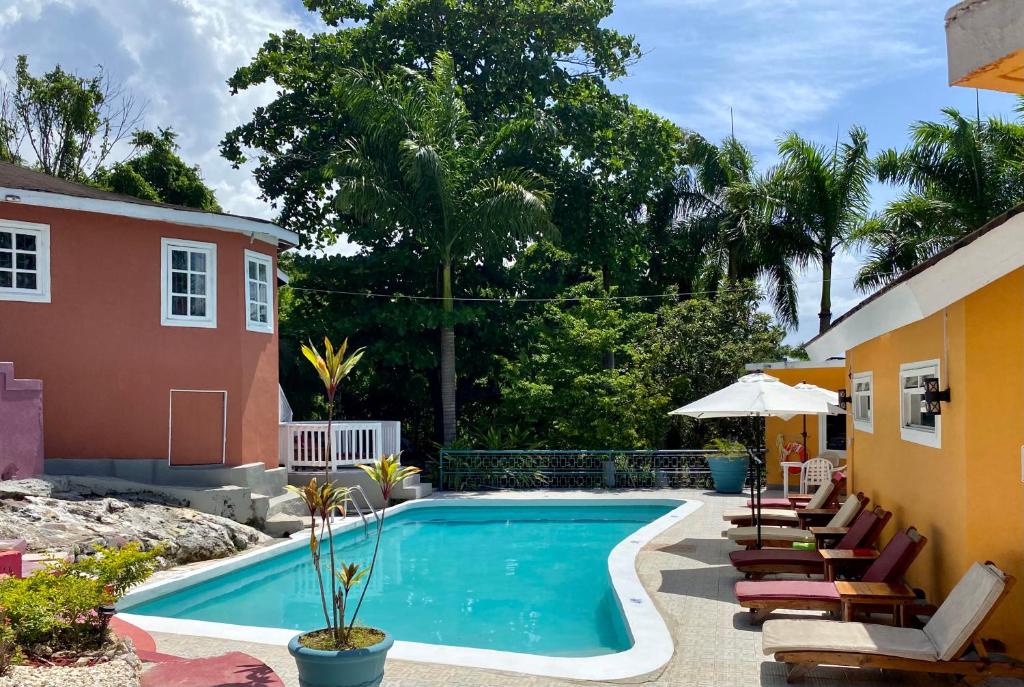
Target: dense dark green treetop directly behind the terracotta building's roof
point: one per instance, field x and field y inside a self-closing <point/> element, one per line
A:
<point x="158" y="174"/>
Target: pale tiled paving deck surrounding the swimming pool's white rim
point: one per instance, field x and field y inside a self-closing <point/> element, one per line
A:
<point x="686" y="570"/>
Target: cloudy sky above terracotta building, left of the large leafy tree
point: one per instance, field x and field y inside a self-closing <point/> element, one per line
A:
<point x="175" y="55"/>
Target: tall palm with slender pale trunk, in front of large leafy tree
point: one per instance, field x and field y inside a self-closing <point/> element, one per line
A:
<point x="420" y="168"/>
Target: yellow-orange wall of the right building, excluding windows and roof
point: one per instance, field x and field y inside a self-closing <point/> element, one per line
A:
<point x="966" y="495"/>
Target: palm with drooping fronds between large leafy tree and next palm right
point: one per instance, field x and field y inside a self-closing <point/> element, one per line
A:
<point x="727" y="214"/>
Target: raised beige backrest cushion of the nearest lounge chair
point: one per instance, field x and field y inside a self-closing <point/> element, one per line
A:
<point x="968" y="605"/>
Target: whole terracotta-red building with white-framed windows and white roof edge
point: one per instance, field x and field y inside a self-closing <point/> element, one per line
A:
<point x="152" y="327"/>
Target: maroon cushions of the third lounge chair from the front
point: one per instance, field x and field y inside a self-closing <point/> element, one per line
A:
<point x="863" y="536"/>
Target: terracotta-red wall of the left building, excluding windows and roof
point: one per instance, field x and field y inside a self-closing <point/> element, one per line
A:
<point x="109" y="365"/>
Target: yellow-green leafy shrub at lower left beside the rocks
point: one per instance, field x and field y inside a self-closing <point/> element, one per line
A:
<point x="57" y="607"/>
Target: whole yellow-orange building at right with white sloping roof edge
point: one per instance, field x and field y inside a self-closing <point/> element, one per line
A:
<point x="935" y="369"/>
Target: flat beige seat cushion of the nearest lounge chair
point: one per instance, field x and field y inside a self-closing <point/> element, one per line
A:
<point x="880" y="640"/>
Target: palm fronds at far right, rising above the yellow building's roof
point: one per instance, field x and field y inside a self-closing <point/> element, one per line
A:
<point x="960" y="174"/>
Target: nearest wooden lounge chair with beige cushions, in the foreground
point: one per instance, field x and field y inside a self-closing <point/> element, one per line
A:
<point x="950" y="645"/>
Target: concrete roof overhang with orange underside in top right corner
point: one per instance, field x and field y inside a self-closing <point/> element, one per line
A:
<point x="986" y="46"/>
